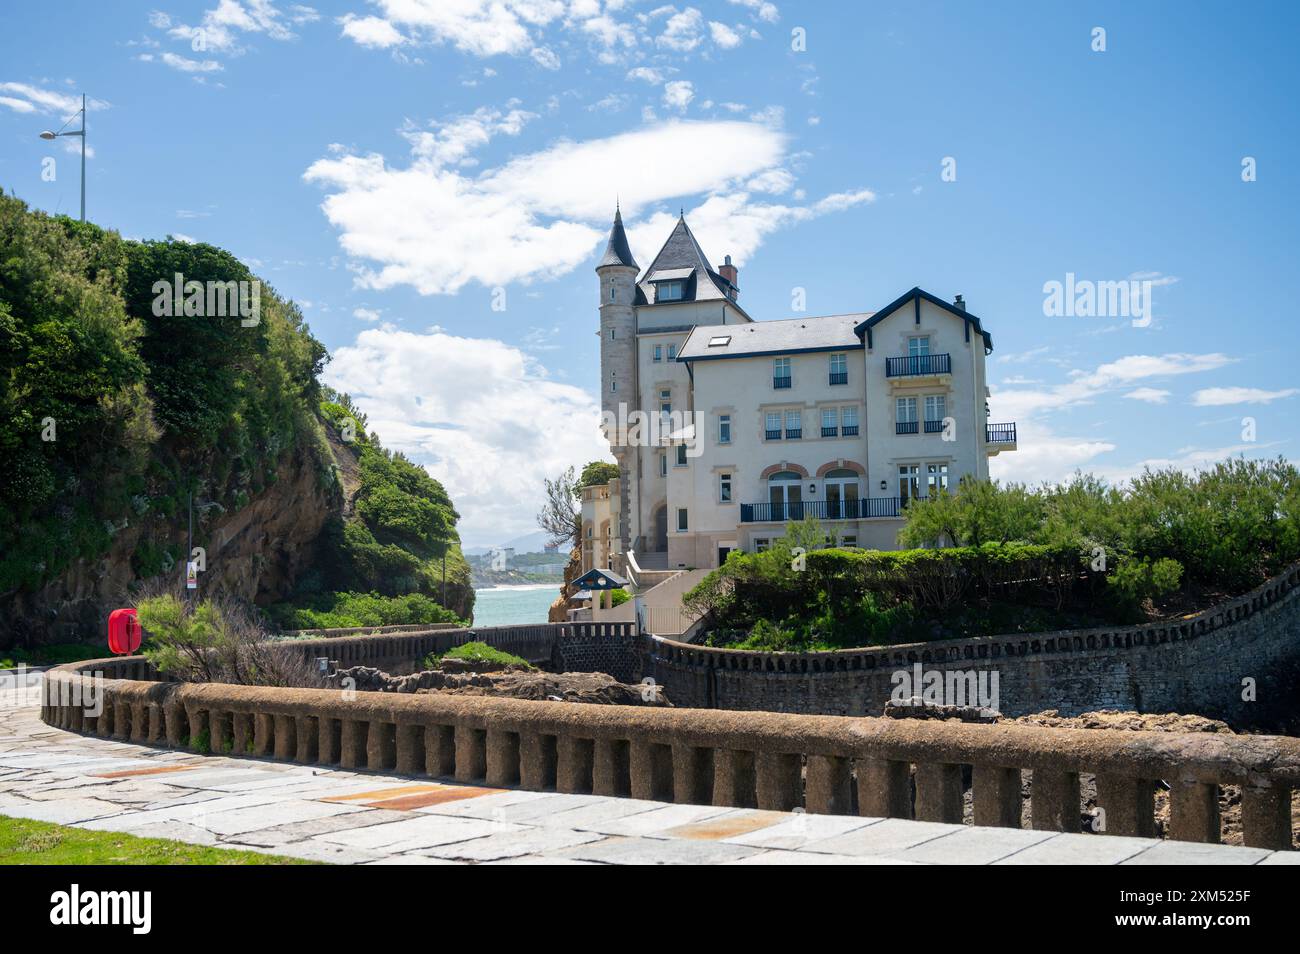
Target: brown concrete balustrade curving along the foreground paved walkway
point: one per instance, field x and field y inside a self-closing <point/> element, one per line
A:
<point x="826" y="765"/>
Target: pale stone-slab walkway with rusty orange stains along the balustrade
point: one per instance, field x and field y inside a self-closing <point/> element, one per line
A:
<point x="361" y="818"/>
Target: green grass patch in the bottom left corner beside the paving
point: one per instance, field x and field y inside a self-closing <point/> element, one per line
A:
<point x="41" y="843"/>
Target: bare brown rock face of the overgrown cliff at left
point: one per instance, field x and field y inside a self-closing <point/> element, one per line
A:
<point x="255" y="553"/>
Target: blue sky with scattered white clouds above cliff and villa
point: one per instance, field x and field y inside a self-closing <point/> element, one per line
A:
<point x="398" y="168"/>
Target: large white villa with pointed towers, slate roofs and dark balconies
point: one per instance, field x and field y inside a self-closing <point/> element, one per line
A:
<point x="846" y="418"/>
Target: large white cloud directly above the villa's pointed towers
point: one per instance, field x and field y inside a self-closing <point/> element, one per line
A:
<point x="436" y="227"/>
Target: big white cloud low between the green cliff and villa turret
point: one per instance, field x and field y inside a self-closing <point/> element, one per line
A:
<point x="489" y="424"/>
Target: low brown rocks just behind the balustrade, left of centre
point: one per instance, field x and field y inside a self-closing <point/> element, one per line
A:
<point x="515" y="683"/>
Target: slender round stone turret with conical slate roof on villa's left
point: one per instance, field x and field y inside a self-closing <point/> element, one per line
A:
<point x="618" y="272"/>
